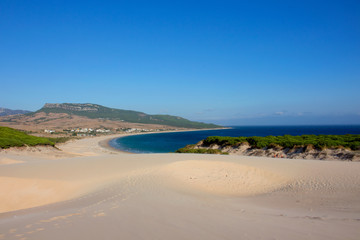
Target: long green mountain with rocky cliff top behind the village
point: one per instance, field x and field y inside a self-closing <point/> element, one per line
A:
<point x="95" y="111"/>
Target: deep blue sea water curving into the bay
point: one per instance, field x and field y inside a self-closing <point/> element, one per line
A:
<point x="170" y="142"/>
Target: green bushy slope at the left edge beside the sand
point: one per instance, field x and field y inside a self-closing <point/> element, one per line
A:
<point x="10" y="137"/>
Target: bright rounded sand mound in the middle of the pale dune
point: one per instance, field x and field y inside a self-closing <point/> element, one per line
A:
<point x="223" y="178"/>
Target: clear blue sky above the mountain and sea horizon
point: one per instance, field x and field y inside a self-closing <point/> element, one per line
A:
<point x="227" y="62"/>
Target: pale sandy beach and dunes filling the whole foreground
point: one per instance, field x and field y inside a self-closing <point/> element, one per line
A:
<point x="91" y="191"/>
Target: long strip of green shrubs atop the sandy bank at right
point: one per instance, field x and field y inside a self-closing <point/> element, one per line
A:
<point x="287" y="141"/>
